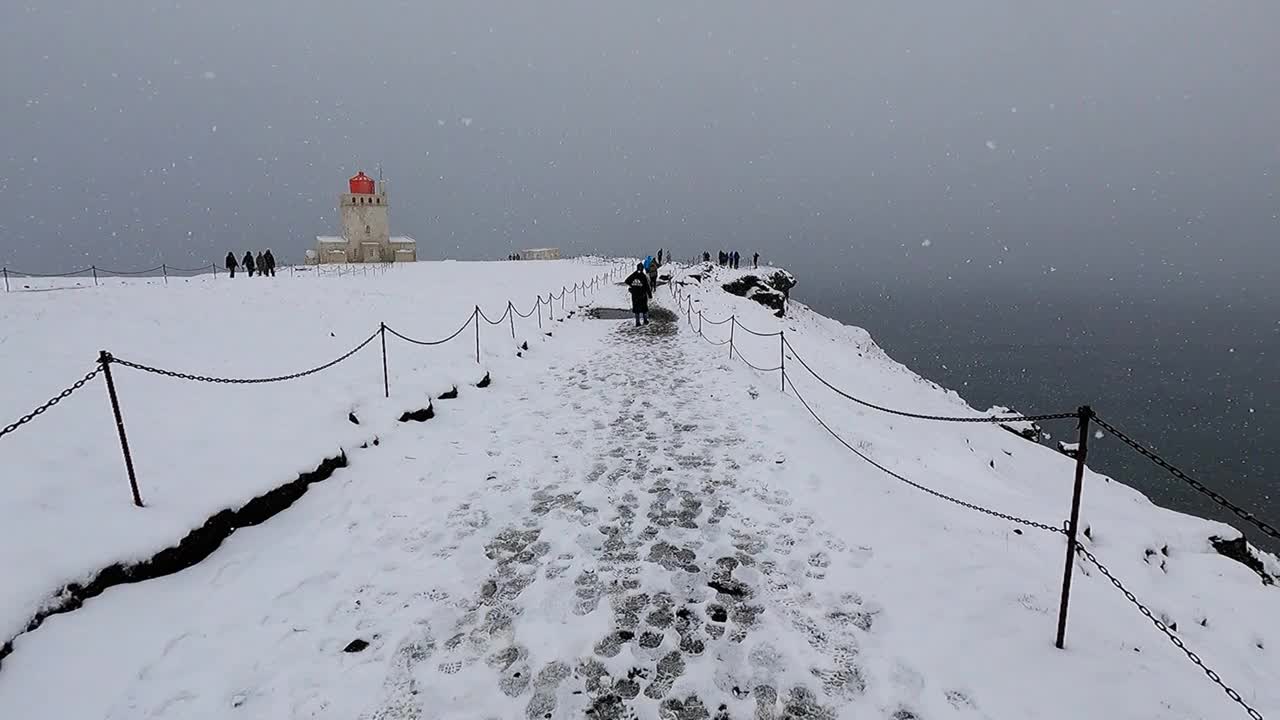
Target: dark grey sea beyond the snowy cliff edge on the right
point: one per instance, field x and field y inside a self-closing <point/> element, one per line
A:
<point x="1192" y="375"/>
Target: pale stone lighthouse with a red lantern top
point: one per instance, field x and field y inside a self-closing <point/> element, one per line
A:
<point x="363" y="215"/>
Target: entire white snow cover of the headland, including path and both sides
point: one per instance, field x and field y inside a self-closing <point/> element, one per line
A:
<point x="627" y="522"/>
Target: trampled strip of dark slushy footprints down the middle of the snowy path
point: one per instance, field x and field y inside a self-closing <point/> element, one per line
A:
<point x="650" y="563"/>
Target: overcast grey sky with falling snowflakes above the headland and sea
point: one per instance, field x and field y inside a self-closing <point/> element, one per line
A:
<point x="961" y="143"/>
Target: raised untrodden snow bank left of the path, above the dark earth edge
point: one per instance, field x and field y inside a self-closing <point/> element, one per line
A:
<point x="66" y="508"/>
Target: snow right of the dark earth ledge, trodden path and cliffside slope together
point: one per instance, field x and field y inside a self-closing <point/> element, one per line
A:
<point x="630" y="525"/>
